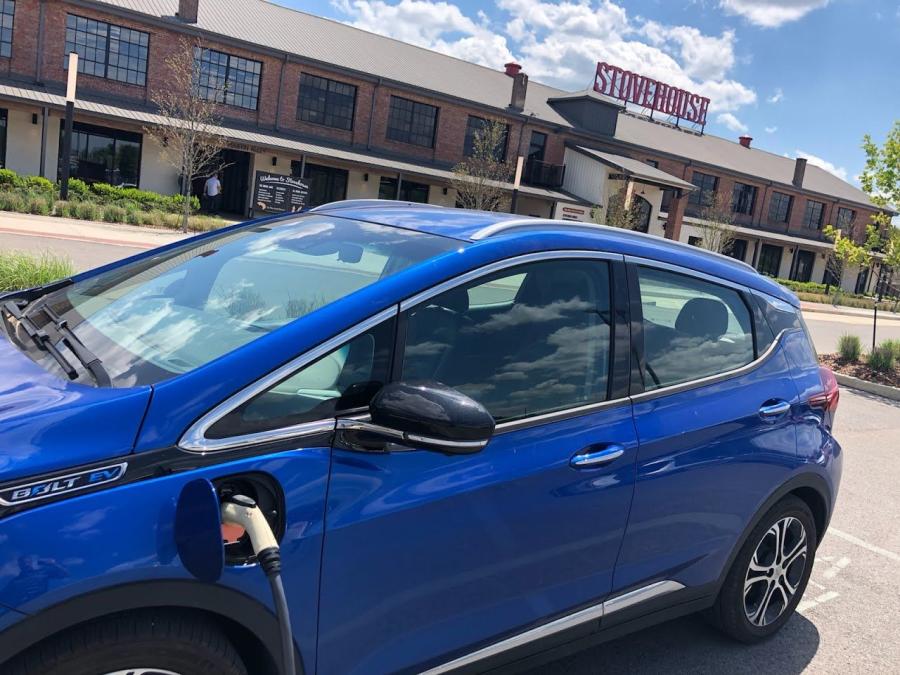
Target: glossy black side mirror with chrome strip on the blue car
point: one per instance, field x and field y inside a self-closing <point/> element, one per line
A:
<point x="426" y="415"/>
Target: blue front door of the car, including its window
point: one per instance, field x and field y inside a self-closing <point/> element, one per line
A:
<point x="430" y="556"/>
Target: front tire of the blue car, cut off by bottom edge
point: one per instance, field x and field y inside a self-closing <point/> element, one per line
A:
<point x="161" y="642"/>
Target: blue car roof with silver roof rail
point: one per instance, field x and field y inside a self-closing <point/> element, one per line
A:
<point x="473" y="226"/>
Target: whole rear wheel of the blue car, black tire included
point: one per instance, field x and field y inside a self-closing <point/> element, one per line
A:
<point x="764" y="586"/>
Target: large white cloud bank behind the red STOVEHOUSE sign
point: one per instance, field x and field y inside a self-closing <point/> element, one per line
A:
<point x="560" y="42"/>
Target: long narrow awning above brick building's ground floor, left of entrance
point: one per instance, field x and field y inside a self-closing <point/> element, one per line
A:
<point x="264" y="141"/>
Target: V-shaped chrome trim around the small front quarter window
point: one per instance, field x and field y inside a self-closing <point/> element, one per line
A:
<point x="194" y="439"/>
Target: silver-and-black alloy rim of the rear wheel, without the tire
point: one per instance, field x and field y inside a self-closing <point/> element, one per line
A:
<point x="775" y="572"/>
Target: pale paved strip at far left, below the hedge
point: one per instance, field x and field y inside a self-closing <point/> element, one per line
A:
<point x="110" y="234"/>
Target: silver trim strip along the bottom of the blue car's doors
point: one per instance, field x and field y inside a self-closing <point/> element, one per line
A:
<point x="592" y="613"/>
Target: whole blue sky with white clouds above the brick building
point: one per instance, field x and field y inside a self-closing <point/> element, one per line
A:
<point x="806" y="77"/>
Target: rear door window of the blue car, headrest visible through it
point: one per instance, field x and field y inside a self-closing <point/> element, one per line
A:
<point x="692" y="328"/>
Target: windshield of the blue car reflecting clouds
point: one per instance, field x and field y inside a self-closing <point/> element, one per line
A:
<point x="170" y="313"/>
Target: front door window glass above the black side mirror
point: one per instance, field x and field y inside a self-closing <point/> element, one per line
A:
<point x="545" y="349"/>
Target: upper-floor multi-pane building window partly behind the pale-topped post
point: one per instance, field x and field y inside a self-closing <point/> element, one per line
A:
<point x="107" y="50"/>
